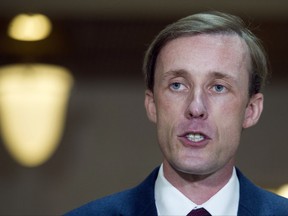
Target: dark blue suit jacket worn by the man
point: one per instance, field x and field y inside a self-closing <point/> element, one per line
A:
<point x="139" y="201"/>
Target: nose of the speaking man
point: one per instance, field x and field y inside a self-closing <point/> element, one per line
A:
<point x="196" y="106"/>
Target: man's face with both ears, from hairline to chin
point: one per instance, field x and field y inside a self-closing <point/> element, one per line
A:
<point x="200" y="101"/>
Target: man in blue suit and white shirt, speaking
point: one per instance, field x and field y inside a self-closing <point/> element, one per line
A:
<point x="204" y="74"/>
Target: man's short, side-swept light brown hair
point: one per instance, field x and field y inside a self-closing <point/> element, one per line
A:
<point x="210" y="23"/>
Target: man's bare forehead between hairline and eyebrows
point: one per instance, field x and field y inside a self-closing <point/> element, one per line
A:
<point x="205" y="52"/>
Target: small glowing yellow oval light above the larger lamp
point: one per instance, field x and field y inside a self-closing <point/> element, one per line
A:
<point x="29" y="27"/>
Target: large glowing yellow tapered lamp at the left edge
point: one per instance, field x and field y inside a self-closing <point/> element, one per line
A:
<point x="33" y="101"/>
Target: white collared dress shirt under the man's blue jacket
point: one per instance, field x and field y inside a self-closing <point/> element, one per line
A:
<point x="170" y="201"/>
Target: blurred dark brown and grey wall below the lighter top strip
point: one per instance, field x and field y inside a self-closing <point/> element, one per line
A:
<point x="109" y="144"/>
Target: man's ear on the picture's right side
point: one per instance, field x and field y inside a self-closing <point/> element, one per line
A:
<point x="253" y="110"/>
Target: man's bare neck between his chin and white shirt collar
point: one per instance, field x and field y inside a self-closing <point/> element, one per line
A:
<point x="198" y="188"/>
